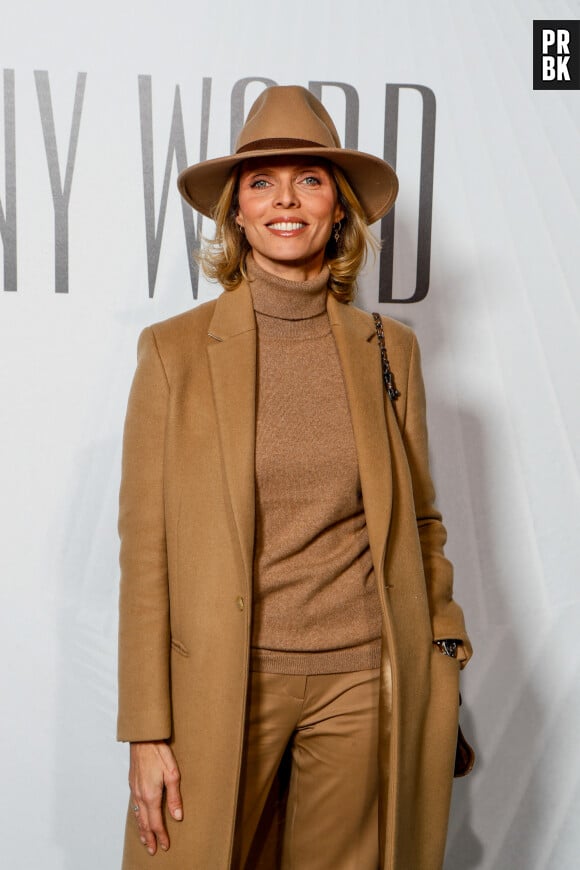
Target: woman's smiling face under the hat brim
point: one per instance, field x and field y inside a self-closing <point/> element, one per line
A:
<point x="287" y="207"/>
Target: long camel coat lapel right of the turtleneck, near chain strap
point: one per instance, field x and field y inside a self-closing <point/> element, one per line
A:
<point x="361" y="365"/>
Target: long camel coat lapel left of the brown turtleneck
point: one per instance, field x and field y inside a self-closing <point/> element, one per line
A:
<point x="232" y="360"/>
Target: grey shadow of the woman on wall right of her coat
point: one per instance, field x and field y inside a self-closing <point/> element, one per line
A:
<point x="502" y="708"/>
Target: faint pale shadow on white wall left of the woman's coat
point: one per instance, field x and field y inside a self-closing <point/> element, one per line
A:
<point x="90" y="768"/>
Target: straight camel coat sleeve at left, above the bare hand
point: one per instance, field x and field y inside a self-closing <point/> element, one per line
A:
<point x="144" y="637"/>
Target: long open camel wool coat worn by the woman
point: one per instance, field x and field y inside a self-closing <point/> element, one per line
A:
<point x="186" y="524"/>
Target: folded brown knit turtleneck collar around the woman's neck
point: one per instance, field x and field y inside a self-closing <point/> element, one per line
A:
<point x="284" y="299"/>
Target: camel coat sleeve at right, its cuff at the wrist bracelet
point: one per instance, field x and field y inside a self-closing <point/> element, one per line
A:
<point x="446" y="615"/>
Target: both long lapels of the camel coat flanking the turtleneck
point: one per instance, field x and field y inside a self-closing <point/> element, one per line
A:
<point x="232" y="357"/>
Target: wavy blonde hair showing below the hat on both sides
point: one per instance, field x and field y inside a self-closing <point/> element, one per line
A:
<point x="223" y="258"/>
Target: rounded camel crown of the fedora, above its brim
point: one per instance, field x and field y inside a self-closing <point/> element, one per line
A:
<point x="287" y="113"/>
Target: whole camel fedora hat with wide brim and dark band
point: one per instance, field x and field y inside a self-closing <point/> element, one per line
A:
<point x="290" y="121"/>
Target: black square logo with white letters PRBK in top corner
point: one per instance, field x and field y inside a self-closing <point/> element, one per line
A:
<point x="557" y="55"/>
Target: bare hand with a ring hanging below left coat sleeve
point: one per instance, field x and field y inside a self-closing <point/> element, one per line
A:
<point x="153" y="767"/>
